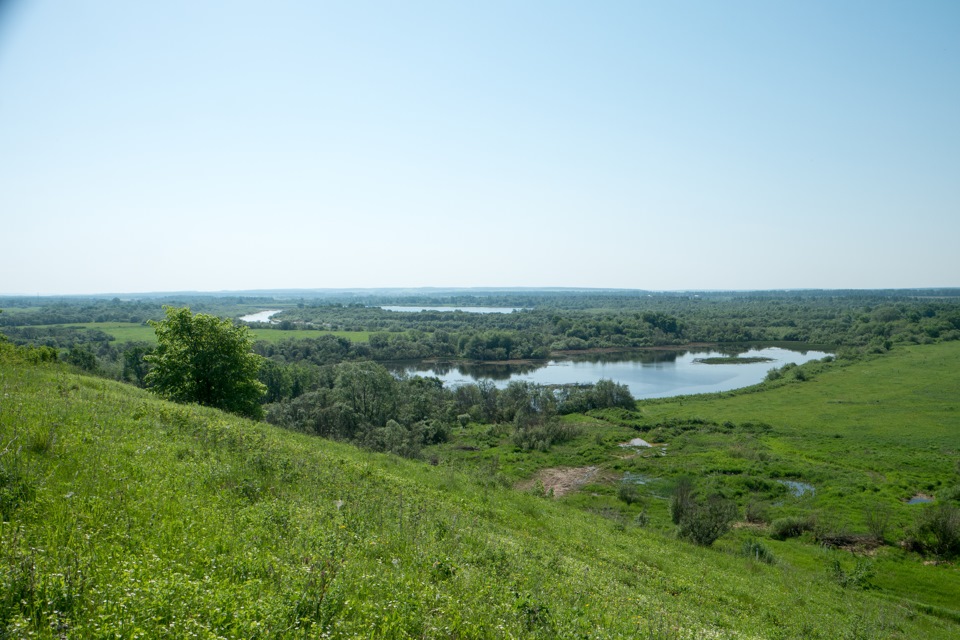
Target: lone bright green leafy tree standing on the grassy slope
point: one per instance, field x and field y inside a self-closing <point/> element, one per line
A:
<point x="208" y="360"/>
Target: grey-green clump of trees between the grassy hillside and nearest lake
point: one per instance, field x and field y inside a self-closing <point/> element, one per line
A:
<point x="363" y="403"/>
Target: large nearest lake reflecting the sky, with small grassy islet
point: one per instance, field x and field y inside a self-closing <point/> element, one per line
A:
<point x="648" y="374"/>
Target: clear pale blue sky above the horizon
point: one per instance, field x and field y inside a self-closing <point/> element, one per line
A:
<point x="212" y="146"/>
